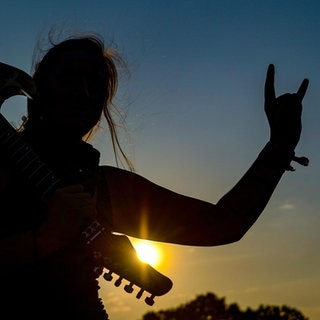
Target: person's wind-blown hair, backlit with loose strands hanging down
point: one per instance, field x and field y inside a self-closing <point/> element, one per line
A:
<point x="112" y="60"/>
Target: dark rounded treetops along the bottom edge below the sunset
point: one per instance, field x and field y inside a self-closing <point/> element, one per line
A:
<point x="210" y="307"/>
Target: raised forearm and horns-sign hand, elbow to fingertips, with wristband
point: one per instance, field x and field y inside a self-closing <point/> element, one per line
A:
<point x="251" y="194"/>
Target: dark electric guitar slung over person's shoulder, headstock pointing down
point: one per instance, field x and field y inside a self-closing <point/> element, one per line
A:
<point x="117" y="254"/>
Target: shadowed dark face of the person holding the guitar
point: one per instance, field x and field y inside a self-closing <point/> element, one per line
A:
<point x="74" y="91"/>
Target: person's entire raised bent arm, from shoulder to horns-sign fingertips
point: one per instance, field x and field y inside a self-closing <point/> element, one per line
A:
<point x="143" y="209"/>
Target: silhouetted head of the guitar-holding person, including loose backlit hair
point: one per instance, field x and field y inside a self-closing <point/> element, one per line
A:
<point x="76" y="80"/>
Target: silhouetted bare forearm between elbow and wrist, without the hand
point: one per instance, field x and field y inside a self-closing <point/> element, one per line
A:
<point x="249" y="197"/>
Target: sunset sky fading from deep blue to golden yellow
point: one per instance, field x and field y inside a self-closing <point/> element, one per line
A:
<point x="193" y="105"/>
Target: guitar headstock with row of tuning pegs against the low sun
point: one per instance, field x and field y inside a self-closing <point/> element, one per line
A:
<point x="116" y="254"/>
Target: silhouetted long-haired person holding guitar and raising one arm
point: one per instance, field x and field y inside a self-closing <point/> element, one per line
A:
<point x="46" y="272"/>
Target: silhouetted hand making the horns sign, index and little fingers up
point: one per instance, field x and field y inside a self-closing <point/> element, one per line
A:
<point x="284" y="112"/>
